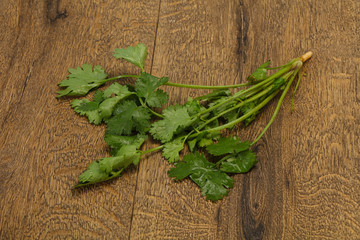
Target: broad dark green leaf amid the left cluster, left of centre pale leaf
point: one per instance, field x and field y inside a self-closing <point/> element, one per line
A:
<point x="128" y="117"/>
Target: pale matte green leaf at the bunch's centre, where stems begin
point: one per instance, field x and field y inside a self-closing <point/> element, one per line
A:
<point x="175" y="118"/>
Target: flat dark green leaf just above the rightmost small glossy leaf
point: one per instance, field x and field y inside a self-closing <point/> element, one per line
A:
<point x="228" y="145"/>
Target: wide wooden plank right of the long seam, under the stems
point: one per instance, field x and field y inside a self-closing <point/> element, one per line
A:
<point x="306" y="185"/>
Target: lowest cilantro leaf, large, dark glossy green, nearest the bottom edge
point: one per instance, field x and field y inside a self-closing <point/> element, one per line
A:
<point x="212" y="182"/>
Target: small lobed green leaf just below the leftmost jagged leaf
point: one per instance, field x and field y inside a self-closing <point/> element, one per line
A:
<point x="89" y="108"/>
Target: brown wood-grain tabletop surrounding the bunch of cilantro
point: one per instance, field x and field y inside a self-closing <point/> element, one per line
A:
<point x="307" y="182"/>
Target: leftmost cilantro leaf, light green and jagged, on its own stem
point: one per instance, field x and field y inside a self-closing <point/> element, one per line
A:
<point x="81" y="80"/>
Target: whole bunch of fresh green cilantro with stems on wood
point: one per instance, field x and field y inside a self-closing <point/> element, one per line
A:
<point x="131" y="116"/>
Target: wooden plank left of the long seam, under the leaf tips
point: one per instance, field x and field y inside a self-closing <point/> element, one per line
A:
<point x="44" y="145"/>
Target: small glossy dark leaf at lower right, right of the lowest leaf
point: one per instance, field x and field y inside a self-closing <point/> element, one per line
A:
<point x="239" y="163"/>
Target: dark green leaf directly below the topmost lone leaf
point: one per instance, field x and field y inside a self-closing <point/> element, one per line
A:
<point x="145" y="87"/>
